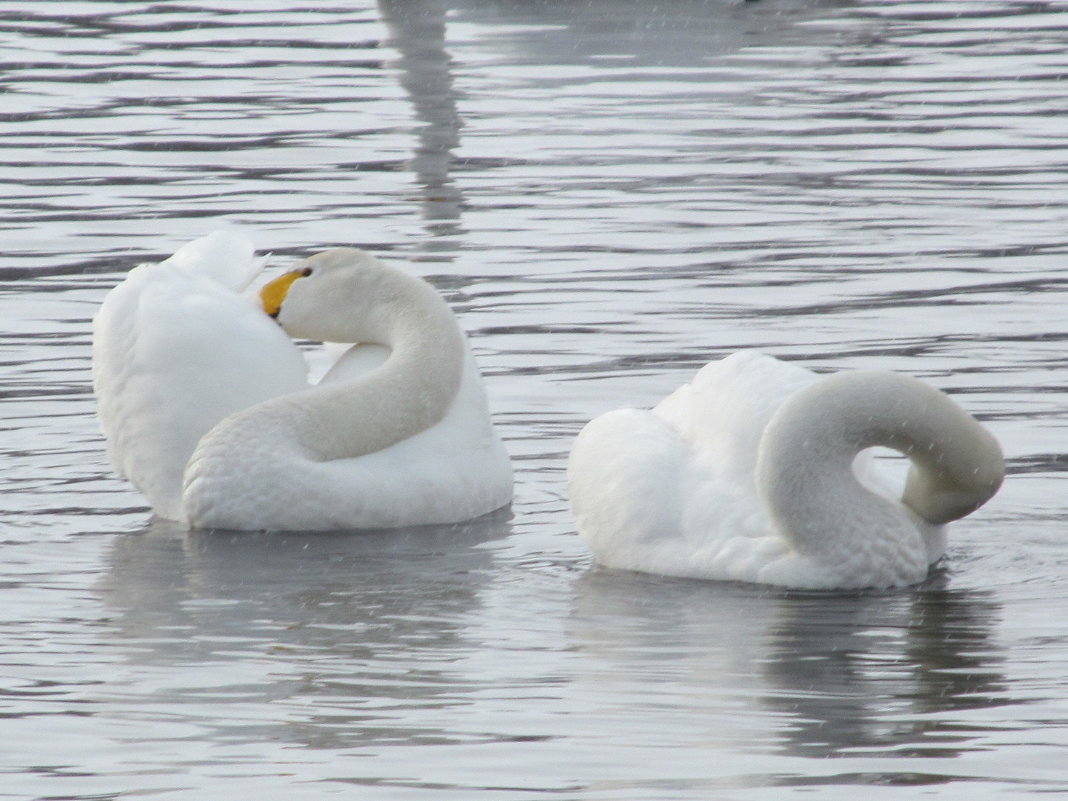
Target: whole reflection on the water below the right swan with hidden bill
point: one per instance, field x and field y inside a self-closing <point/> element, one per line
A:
<point x="806" y="674"/>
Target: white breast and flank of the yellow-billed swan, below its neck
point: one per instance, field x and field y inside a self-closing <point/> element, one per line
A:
<point x="453" y="472"/>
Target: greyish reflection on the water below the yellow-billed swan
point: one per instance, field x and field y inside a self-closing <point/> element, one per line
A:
<point x="352" y="637"/>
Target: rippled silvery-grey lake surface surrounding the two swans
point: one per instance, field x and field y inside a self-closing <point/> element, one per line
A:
<point x="609" y="195"/>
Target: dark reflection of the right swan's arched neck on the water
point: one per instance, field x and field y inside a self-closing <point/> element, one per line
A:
<point x="885" y="674"/>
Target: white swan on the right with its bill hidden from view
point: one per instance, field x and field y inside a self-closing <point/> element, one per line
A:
<point x="755" y="473"/>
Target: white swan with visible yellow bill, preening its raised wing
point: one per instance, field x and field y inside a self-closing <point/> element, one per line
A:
<point x="207" y="410"/>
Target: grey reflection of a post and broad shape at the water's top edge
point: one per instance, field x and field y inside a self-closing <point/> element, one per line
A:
<point x="606" y="35"/>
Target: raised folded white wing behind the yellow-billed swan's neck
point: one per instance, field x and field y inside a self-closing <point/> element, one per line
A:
<point x="174" y="354"/>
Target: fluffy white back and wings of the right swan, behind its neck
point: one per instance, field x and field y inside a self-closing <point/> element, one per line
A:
<point x="671" y="491"/>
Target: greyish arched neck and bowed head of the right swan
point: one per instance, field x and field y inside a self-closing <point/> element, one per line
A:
<point x="805" y="464"/>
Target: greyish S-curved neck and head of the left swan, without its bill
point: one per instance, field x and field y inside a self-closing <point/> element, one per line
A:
<point x="409" y="394"/>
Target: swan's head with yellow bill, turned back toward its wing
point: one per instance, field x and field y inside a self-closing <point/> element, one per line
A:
<point x="328" y="295"/>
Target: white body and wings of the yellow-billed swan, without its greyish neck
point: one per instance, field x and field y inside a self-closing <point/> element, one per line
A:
<point x="180" y="355"/>
